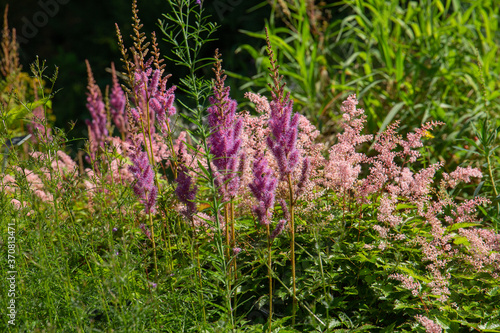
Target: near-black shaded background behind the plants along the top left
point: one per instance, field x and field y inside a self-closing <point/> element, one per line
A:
<point x="66" y="32"/>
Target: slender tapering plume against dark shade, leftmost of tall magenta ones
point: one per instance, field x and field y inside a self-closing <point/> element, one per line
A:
<point x="97" y="127"/>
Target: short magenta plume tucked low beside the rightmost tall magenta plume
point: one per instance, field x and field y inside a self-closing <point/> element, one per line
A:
<point x="263" y="188"/>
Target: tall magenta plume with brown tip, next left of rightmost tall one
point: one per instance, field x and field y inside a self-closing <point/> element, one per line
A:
<point x="225" y="131"/>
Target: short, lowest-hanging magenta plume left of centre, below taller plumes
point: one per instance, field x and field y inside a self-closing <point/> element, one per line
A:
<point x="143" y="173"/>
